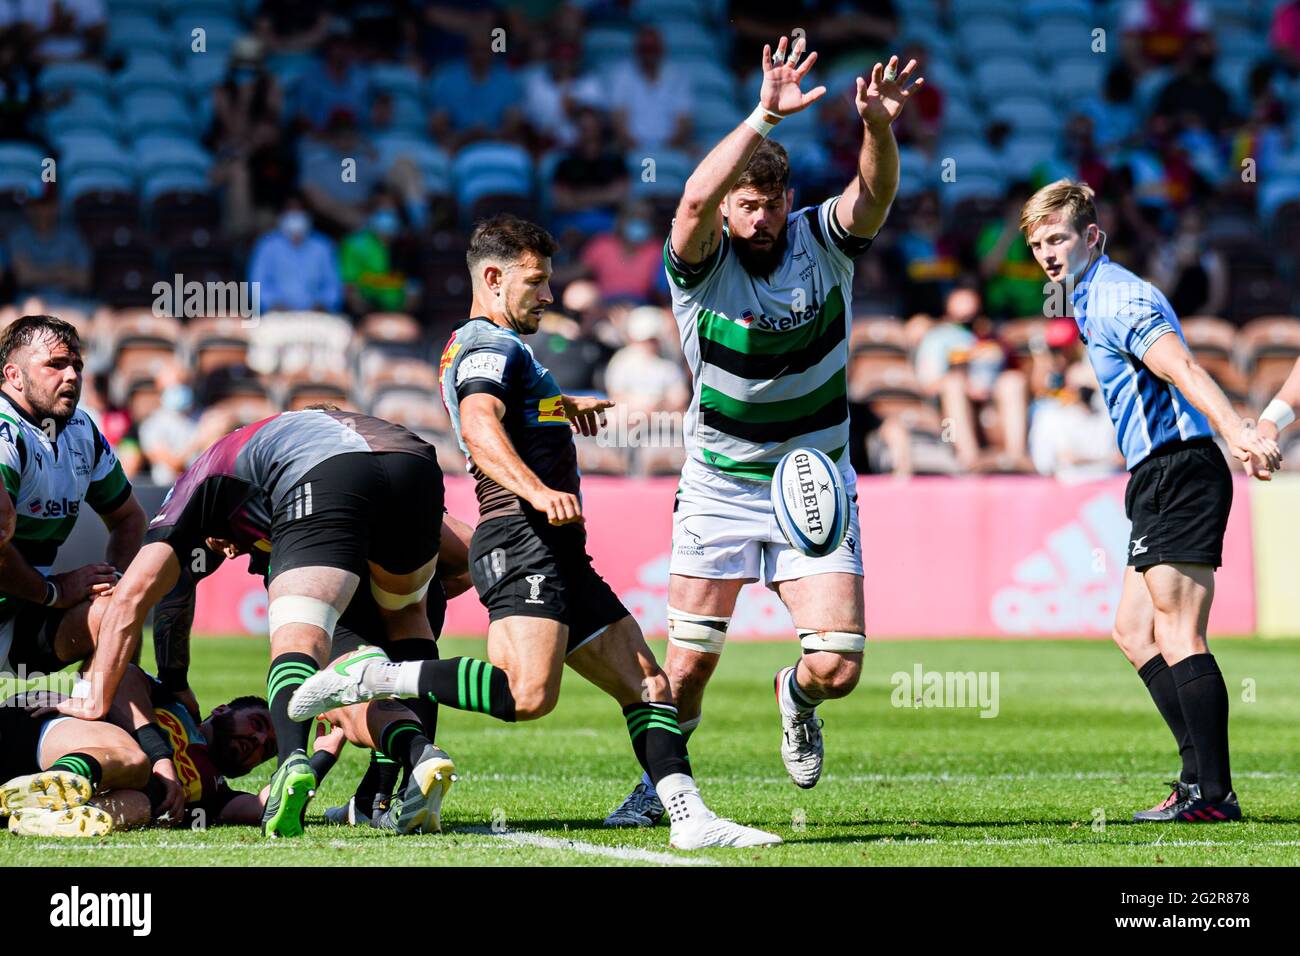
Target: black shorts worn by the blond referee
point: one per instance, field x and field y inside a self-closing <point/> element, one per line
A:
<point x="1178" y="501"/>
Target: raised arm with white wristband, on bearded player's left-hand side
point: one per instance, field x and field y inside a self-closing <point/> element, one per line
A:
<point x="699" y="226"/>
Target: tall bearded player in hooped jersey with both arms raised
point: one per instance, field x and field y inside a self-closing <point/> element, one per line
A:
<point x="762" y="295"/>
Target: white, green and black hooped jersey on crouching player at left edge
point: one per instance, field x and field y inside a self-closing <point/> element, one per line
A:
<point x="50" y="479"/>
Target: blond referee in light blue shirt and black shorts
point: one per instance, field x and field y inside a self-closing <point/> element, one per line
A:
<point x="1165" y="409"/>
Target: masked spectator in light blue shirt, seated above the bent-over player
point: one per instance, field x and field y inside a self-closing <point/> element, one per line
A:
<point x="294" y="266"/>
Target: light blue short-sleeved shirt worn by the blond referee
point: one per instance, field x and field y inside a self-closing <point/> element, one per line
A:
<point x="1120" y="317"/>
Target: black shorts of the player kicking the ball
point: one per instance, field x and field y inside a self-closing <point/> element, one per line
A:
<point x="523" y="566"/>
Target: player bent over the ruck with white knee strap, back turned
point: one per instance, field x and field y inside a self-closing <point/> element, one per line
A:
<point x="335" y="500"/>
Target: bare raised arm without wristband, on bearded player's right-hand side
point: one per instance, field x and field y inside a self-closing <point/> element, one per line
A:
<point x="865" y="202"/>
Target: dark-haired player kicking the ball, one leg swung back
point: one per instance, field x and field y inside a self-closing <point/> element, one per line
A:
<point x="548" y="607"/>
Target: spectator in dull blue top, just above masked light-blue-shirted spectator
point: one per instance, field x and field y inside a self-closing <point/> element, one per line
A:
<point x="339" y="176"/>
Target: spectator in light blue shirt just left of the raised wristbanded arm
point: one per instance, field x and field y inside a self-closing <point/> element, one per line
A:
<point x="652" y="103"/>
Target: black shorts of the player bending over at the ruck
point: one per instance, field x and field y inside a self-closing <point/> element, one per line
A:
<point x="358" y="508"/>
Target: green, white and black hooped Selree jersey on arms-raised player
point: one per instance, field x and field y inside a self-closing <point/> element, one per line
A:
<point x="769" y="357"/>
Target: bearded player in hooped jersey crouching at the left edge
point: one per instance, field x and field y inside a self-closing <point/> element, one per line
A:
<point x="53" y="460"/>
